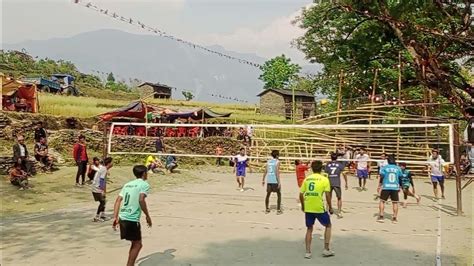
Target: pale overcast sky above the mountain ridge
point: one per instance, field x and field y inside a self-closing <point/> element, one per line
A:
<point x="256" y="26"/>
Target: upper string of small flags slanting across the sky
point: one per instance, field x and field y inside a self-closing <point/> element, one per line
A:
<point x="161" y="33"/>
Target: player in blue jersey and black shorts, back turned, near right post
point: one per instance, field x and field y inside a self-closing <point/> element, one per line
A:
<point x="390" y="182"/>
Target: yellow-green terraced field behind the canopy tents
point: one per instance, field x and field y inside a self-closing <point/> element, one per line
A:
<point x="84" y="107"/>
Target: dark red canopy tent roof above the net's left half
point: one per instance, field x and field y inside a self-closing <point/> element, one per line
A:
<point x="140" y="109"/>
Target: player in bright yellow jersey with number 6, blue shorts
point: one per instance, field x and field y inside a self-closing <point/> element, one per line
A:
<point x="312" y="204"/>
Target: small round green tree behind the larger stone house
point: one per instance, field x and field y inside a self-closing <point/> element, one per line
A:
<point x="278" y="72"/>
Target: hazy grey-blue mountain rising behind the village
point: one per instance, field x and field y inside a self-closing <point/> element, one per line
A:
<point x="150" y="58"/>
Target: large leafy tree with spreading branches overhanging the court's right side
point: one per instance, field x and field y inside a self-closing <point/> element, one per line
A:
<point x="433" y="38"/>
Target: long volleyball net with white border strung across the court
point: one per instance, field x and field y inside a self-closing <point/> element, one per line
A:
<point x="411" y="143"/>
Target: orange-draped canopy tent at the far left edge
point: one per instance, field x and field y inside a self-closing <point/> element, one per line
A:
<point x="17" y="95"/>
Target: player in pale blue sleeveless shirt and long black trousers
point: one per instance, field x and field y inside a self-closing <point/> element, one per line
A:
<point x="272" y="176"/>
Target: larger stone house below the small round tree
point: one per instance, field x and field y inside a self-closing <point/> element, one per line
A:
<point x="280" y="102"/>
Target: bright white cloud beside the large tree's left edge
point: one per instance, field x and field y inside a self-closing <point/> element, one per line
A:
<point x="273" y="40"/>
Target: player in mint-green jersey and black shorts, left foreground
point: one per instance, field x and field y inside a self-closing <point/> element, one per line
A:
<point x="128" y="208"/>
